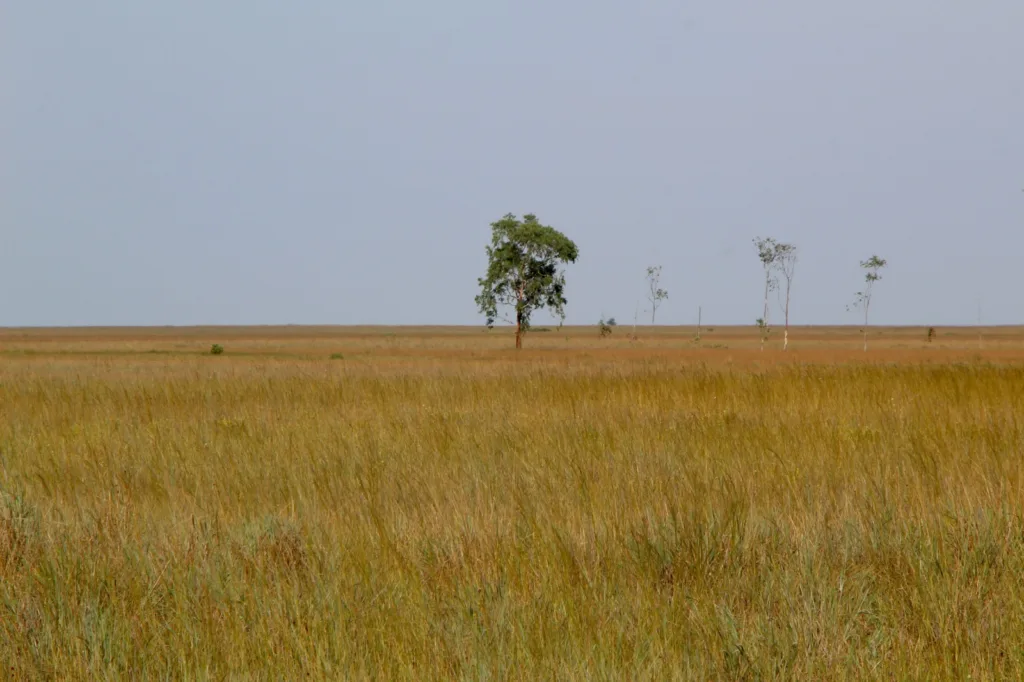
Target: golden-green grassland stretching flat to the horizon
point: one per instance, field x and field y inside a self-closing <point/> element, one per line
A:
<point x="420" y="504"/>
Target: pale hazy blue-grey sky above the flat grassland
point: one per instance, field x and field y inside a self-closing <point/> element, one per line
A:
<point x="340" y="162"/>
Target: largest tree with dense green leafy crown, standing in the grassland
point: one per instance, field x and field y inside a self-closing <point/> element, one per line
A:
<point x="524" y="261"/>
